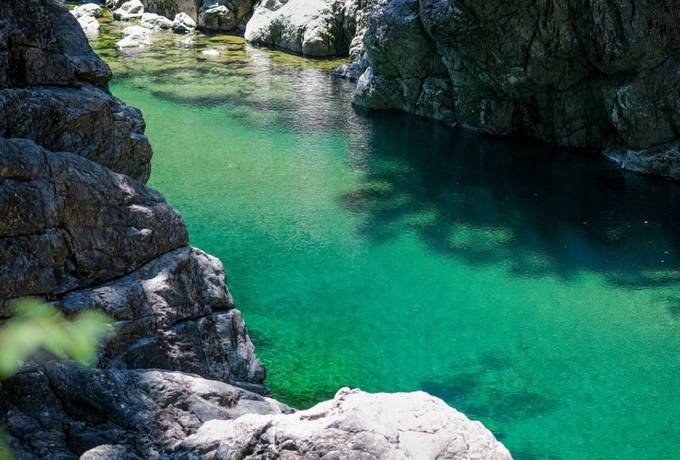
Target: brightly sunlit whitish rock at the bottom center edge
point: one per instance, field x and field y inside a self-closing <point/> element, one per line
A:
<point x="354" y="425"/>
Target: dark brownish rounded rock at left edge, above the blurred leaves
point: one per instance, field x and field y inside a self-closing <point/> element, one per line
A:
<point x="71" y="223"/>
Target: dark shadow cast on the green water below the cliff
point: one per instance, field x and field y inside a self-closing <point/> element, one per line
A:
<point x="540" y="208"/>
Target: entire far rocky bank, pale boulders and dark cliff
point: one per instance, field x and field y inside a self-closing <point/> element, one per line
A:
<point x="590" y="76"/>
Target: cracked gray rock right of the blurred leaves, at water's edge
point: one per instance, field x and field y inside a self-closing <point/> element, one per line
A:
<point x="175" y="313"/>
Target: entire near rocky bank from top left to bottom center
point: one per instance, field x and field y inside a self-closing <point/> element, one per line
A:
<point x="81" y="230"/>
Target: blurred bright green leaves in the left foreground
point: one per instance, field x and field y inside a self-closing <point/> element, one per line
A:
<point x="39" y="325"/>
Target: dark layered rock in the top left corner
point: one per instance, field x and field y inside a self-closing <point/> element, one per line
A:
<point x="53" y="90"/>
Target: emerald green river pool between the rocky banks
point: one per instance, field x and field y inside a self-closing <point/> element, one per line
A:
<point x="533" y="289"/>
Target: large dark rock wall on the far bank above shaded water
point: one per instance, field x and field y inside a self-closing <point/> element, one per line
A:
<point x="586" y="74"/>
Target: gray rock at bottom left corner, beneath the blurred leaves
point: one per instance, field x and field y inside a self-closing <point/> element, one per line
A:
<point x="55" y="410"/>
